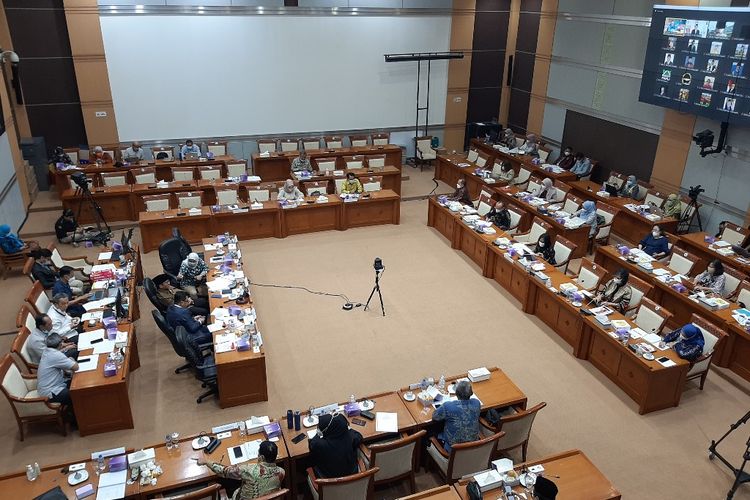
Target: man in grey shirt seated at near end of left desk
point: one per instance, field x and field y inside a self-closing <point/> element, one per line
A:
<point x="53" y="381"/>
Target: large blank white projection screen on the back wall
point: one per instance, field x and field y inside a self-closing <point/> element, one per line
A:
<point x="222" y="76"/>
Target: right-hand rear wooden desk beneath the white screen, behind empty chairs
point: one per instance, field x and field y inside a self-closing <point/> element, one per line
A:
<point x="276" y="166"/>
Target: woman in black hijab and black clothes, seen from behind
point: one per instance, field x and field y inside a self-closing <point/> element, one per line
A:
<point x="333" y="451"/>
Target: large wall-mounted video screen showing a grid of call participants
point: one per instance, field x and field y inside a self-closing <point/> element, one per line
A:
<point x="697" y="62"/>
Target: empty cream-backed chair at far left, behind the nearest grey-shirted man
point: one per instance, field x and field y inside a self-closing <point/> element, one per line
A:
<point x="21" y="391"/>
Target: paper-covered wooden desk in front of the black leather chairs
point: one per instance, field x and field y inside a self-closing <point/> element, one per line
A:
<point x="241" y="376"/>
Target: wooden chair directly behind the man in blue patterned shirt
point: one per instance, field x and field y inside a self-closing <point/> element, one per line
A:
<point x="464" y="458"/>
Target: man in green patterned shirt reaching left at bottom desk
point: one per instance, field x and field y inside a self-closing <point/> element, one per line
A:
<point x="257" y="479"/>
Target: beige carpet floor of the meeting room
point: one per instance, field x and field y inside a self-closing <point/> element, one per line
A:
<point x="442" y="317"/>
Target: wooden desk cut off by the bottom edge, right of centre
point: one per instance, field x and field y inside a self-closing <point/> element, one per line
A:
<point x="577" y="478"/>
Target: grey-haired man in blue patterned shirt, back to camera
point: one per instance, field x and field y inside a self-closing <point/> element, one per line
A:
<point x="461" y="417"/>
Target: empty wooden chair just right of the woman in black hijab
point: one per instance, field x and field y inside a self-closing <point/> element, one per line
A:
<point x="397" y="459"/>
